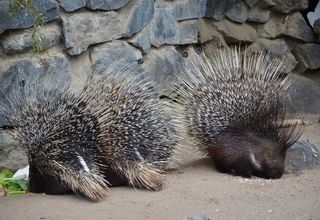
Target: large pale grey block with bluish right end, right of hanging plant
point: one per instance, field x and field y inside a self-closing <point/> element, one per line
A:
<point x="85" y="28"/>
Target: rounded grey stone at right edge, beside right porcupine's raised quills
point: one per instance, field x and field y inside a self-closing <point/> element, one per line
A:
<point x="304" y="95"/>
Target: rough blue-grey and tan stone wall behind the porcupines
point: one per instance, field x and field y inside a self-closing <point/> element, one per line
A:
<point x="81" y="34"/>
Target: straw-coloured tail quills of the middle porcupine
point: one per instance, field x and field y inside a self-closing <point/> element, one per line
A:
<point x="144" y="175"/>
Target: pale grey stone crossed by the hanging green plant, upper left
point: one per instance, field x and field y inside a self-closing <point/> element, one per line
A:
<point x="49" y="35"/>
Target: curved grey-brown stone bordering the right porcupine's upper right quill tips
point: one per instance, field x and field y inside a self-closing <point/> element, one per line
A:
<point x="277" y="48"/>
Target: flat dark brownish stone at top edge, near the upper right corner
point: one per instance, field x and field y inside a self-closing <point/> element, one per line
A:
<point x="290" y="5"/>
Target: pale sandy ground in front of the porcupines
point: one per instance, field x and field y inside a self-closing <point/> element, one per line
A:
<point x="195" y="190"/>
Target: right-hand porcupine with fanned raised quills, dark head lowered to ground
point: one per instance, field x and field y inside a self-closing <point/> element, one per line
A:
<point x="237" y="112"/>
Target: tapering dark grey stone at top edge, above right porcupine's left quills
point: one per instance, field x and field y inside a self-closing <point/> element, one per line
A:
<point x="216" y="9"/>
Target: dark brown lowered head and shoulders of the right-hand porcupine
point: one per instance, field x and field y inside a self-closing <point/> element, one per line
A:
<point x="247" y="155"/>
